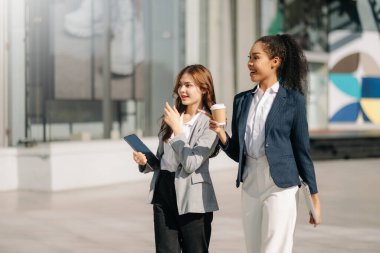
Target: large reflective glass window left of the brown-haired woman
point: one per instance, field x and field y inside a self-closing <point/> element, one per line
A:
<point x="70" y="55"/>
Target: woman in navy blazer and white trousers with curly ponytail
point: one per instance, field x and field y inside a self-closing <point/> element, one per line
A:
<point x="271" y="144"/>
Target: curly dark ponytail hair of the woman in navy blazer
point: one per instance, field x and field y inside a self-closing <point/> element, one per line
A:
<point x="293" y="69"/>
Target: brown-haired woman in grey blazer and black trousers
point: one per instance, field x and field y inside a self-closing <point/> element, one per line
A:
<point x="181" y="190"/>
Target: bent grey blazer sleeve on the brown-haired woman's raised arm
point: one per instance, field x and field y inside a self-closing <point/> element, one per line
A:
<point x="191" y="158"/>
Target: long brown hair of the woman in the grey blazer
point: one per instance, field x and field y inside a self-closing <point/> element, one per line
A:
<point x="203" y="79"/>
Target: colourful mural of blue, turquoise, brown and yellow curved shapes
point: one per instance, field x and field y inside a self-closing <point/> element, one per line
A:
<point x="354" y="79"/>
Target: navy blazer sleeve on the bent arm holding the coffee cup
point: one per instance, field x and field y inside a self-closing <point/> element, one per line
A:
<point x="232" y="145"/>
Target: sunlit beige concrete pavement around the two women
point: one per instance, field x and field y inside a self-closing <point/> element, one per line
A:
<point x="118" y="219"/>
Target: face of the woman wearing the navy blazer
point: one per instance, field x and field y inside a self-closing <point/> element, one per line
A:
<point x="260" y="66"/>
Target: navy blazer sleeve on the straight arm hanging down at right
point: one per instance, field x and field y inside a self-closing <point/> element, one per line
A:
<point x="301" y="146"/>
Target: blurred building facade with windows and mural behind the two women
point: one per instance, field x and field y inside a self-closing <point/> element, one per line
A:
<point x="85" y="70"/>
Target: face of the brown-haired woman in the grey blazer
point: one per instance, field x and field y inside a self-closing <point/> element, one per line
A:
<point x="188" y="91"/>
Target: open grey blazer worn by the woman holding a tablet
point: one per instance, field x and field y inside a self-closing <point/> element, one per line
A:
<point x="194" y="190"/>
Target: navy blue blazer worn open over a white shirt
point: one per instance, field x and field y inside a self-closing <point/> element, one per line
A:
<point x="286" y="138"/>
